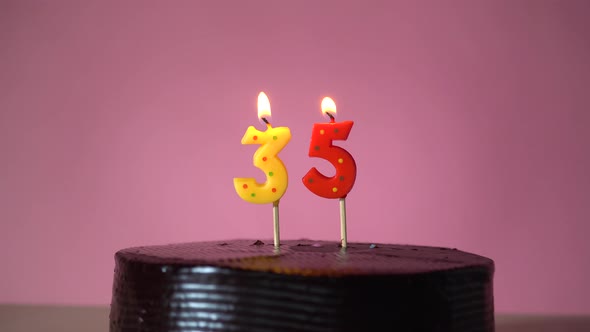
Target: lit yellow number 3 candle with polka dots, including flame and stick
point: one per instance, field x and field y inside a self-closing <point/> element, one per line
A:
<point x="273" y="140"/>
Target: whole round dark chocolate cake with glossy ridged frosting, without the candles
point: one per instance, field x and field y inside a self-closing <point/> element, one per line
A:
<point x="248" y="285"/>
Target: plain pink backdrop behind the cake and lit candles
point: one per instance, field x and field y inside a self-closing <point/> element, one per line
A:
<point x="121" y="122"/>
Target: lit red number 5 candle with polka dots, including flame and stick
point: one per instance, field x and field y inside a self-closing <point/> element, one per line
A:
<point x="339" y="185"/>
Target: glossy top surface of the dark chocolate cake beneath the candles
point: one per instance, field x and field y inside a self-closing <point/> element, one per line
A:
<point x="307" y="257"/>
